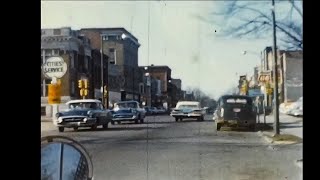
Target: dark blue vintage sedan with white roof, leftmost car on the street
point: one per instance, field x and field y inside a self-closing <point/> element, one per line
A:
<point x="83" y="113"/>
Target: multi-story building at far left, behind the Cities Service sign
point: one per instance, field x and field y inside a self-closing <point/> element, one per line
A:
<point x="76" y="52"/>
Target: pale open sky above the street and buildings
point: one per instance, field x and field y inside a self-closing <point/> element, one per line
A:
<point x="190" y="47"/>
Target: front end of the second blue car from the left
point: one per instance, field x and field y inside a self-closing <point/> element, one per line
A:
<point x="126" y="114"/>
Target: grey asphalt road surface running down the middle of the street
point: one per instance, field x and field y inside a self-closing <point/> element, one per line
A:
<point x="162" y="149"/>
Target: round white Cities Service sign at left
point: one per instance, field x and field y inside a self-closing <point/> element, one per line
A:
<point x="54" y="67"/>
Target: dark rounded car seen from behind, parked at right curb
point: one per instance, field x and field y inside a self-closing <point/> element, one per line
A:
<point x="235" y="110"/>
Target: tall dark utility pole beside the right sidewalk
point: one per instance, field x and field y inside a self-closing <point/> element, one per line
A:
<point x="275" y="74"/>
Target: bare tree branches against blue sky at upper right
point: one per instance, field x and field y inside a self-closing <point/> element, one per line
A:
<point x="253" y="19"/>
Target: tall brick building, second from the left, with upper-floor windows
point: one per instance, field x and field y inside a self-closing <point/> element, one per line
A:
<point x="122" y="48"/>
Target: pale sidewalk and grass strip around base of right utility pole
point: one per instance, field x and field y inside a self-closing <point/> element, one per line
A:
<point x="290" y="129"/>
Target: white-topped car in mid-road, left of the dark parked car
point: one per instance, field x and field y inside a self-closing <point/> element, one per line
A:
<point x="188" y="109"/>
